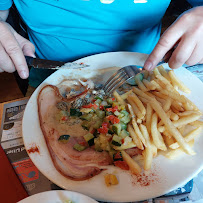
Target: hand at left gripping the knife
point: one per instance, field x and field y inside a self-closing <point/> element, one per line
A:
<point x="13" y="47"/>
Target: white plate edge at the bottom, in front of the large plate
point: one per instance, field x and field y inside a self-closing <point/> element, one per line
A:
<point x="58" y="196"/>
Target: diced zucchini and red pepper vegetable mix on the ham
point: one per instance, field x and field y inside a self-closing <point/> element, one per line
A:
<point x="105" y="121"/>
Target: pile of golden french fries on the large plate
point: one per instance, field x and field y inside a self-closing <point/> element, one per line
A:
<point x="159" y="117"/>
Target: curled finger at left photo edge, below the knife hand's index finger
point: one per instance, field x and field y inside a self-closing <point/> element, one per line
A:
<point x="5" y="63"/>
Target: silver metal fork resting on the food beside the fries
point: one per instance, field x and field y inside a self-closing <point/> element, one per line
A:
<point x="121" y="76"/>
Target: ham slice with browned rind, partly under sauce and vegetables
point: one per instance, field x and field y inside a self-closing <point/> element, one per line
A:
<point x="69" y="162"/>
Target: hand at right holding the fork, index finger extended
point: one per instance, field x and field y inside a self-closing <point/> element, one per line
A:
<point x="186" y="36"/>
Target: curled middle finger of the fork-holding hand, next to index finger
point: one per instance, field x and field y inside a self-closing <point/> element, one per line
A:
<point x="183" y="52"/>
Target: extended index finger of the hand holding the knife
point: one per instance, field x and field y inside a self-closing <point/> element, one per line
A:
<point x="14" y="51"/>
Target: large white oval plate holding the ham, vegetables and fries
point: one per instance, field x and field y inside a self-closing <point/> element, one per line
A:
<point x="165" y="176"/>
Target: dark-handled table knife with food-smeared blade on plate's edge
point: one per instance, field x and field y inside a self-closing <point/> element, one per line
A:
<point x="48" y="64"/>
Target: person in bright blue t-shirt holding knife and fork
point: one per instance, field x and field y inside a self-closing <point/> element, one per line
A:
<point x="68" y="30"/>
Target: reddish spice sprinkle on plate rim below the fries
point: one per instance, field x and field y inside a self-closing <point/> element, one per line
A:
<point x="144" y="179"/>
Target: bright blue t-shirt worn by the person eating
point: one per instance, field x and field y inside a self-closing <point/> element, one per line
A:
<point x="67" y="30"/>
